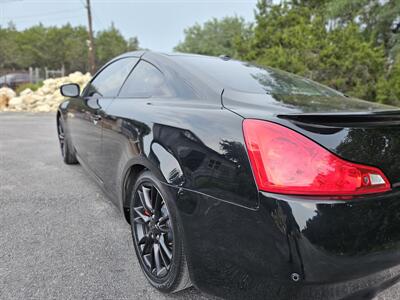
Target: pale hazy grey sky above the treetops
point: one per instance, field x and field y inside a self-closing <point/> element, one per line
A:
<point x="158" y="24"/>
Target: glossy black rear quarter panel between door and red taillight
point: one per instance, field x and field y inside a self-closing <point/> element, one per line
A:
<point x="200" y="143"/>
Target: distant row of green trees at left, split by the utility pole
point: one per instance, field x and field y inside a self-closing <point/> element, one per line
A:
<point x="52" y="47"/>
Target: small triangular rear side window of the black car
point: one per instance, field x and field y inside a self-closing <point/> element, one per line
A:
<point x="145" y="81"/>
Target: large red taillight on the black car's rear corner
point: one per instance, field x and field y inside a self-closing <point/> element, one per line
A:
<point x="287" y="162"/>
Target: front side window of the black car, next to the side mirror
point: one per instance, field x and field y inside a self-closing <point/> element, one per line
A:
<point x="108" y="82"/>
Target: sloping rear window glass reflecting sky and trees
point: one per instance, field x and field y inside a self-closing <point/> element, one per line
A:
<point x="250" y="78"/>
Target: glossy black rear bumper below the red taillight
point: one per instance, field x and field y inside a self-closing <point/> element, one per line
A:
<point x="338" y="249"/>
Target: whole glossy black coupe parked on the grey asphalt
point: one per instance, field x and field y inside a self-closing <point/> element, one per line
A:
<point x="246" y="182"/>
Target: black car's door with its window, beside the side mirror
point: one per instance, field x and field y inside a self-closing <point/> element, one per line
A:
<point x="86" y="126"/>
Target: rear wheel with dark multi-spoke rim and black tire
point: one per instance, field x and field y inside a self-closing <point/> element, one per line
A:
<point x="154" y="229"/>
